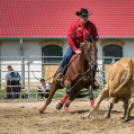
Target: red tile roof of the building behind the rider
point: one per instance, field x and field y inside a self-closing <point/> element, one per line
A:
<point x="48" y="18"/>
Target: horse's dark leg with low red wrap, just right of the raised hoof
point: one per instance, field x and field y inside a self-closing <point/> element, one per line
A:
<point x="72" y="96"/>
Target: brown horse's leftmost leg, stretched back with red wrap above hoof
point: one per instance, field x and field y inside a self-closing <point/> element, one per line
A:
<point x="50" y="96"/>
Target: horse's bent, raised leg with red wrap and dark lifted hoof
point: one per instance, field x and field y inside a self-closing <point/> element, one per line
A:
<point x="67" y="84"/>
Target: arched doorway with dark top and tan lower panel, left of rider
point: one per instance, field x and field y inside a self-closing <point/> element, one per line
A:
<point x="51" y="62"/>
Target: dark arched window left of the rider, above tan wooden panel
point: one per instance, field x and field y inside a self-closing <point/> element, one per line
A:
<point x="52" y="50"/>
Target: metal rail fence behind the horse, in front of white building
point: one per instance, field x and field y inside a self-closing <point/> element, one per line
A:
<point x="26" y="65"/>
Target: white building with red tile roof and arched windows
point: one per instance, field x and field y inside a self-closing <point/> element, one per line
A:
<point x="39" y="28"/>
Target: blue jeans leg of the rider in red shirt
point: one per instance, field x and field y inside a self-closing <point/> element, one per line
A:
<point x="66" y="58"/>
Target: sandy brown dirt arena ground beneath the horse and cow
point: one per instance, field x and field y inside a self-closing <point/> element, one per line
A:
<point x="23" y="118"/>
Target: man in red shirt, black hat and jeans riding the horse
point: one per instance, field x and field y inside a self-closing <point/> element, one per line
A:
<point x="79" y="31"/>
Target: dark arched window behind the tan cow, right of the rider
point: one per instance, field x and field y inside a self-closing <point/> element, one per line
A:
<point x="112" y="50"/>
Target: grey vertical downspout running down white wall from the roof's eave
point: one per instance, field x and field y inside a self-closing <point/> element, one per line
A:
<point x="22" y="64"/>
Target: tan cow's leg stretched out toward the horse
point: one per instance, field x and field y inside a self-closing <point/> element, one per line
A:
<point x="103" y="94"/>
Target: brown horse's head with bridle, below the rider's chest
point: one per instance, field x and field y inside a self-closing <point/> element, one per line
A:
<point x="90" y="50"/>
